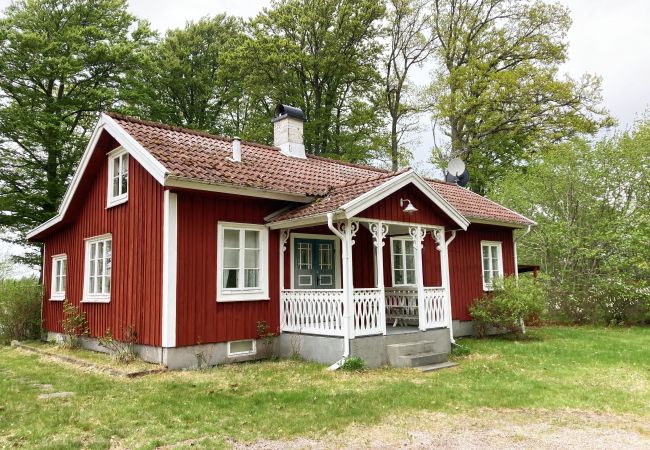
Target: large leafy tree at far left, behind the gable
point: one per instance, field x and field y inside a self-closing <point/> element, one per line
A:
<point x="60" y="63"/>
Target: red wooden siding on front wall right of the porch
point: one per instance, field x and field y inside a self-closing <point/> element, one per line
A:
<point x="465" y="270"/>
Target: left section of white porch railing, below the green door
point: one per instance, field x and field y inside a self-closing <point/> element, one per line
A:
<point x="312" y="311"/>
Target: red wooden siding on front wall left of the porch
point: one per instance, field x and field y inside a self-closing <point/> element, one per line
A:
<point x="199" y="317"/>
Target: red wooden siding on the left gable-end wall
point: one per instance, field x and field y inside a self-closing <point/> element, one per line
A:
<point x="136" y="228"/>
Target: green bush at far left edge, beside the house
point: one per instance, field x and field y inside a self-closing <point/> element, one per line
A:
<point x="20" y="309"/>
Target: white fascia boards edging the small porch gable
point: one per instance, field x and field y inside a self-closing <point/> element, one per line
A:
<point x="382" y="191"/>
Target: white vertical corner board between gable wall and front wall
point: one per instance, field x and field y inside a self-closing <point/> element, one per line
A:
<point x="170" y="249"/>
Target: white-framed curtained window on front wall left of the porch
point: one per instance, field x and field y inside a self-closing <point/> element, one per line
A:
<point x="242" y="262"/>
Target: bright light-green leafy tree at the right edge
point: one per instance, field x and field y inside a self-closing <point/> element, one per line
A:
<point x="591" y="205"/>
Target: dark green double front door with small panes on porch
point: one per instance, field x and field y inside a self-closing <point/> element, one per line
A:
<point x="314" y="264"/>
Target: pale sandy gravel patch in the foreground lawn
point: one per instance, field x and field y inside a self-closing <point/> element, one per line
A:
<point x="485" y="429"/>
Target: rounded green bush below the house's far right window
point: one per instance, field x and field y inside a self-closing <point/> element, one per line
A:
<point x="508" y="305"/>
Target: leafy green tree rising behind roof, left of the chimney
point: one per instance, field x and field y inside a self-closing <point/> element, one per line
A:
<point x="190" y="78"/>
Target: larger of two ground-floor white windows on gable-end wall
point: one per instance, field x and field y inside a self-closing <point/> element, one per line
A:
<point x="97" y="279"/>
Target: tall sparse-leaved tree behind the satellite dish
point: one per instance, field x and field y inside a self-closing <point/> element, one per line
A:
<point x="497" y="94"/>
